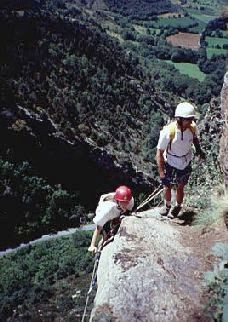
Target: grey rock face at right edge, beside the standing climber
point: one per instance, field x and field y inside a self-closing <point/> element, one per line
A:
<point x="224" y="139"/>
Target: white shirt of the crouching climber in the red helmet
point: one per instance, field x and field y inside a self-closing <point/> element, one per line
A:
<point x="108" y="209"/>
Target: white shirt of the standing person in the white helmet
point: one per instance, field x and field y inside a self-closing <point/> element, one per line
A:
<point x="180" y="154"/>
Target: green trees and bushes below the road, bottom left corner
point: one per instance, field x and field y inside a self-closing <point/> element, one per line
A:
<point x="44" y="277"/>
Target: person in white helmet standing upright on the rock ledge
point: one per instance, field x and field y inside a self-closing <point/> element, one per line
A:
<point x="174" y="155"/>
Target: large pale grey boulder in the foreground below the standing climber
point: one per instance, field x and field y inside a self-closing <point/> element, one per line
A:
<point x="152" y="271"/>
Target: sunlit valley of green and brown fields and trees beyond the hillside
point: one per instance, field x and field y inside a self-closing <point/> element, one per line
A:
<point x="194" y="72"/>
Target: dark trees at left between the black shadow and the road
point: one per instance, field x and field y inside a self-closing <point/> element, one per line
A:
<point x="31" y="207"/>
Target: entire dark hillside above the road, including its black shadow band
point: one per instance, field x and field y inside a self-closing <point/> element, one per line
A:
<point x="78" y="117"/>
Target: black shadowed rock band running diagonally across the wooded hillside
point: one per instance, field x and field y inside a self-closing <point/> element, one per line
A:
<point x="77" y="164"/>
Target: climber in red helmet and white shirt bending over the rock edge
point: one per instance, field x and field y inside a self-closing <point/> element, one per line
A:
<point x="108" y="213"/>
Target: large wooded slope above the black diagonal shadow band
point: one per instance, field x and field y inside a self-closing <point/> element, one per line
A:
<point x="80" y="78"/>
